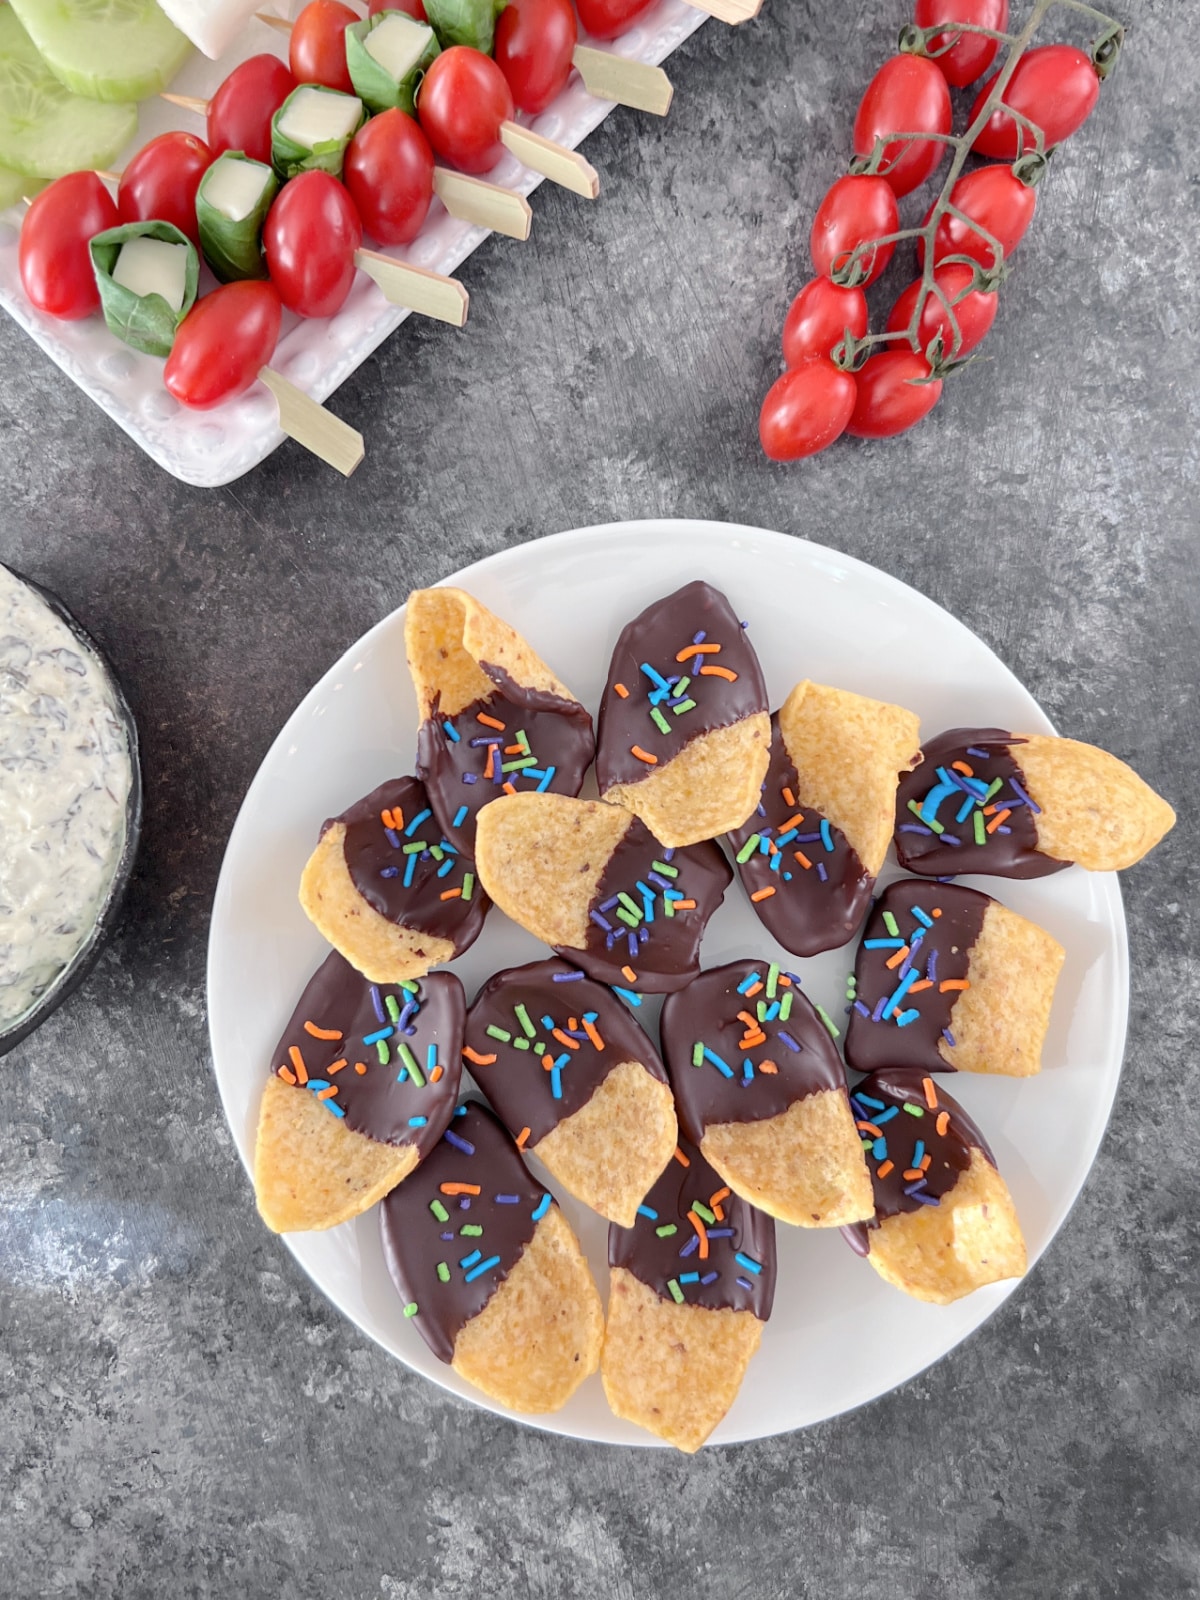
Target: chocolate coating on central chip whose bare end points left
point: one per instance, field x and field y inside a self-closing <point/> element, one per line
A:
<point x="662" y="950"/>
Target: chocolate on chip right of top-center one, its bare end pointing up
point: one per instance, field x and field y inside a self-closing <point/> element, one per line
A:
<point x="810" y="908"/>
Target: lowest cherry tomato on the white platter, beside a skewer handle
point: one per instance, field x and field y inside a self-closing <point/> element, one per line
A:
<point x="223" y="345"/>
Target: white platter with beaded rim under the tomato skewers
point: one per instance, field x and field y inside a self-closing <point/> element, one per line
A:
<point x="209" y="449"/>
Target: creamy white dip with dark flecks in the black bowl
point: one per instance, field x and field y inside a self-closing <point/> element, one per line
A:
<point x="65" y="790"/>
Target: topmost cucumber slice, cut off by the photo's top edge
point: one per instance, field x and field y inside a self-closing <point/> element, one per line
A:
<point x="108" y="50"/>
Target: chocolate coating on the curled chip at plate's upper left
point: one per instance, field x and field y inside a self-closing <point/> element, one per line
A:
<point x="559" y="735"/>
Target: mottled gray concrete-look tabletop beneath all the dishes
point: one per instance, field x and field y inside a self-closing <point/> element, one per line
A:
<point x="180" y="1414"/>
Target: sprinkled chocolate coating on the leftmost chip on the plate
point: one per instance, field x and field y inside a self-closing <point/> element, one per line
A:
<point x="342" y="1001"/>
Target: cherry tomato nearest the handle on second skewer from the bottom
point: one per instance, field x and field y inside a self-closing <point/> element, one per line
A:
<point x="310" y="238"/>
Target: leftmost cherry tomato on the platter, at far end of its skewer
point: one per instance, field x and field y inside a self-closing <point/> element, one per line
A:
<point x="55" y="260"/>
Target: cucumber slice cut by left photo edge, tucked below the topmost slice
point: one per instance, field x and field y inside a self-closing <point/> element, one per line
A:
<point x="47" y="132"/>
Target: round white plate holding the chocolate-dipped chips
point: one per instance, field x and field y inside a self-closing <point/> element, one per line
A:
<point x="839" y="1335"/>
